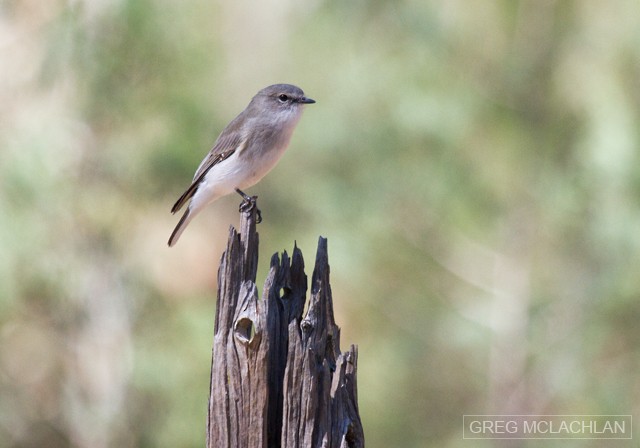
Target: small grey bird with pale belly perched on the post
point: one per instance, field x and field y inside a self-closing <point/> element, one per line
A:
<point x="246" y="150"/>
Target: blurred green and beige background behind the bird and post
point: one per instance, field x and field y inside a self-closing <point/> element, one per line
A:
<point x="474" y="166"/>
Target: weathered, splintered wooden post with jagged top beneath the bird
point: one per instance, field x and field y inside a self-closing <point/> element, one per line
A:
<point x="278" y="379"/>
